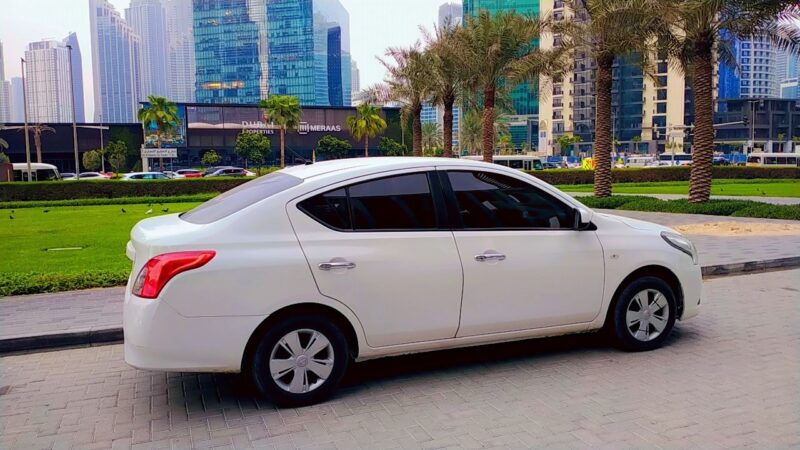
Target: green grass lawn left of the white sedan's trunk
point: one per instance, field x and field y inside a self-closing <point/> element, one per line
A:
<point x="30" y="264"/>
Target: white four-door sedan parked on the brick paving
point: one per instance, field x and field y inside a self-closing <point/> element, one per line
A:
<point x="292" y="276"/>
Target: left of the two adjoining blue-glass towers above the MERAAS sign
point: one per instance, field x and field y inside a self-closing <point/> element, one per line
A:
<point x="230" y="51"/>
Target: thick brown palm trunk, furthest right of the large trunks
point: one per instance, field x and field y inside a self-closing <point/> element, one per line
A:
<point x="703" y="149"/>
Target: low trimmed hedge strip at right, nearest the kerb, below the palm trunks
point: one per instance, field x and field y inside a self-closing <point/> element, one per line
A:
<point x="735" y="208"/>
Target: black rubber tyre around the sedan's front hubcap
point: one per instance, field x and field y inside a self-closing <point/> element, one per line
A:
<point x="623" y="334"/>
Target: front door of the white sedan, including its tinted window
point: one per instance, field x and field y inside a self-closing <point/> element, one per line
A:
<point x="525" y="265"/>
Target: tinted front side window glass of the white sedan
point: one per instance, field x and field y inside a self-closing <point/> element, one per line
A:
<point x="488" y="200"/>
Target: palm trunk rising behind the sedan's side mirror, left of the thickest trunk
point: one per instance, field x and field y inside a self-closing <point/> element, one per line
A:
<point x="602" y="140"/>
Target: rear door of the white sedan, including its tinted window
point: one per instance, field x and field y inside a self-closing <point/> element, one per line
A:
<point x="381" y="247"/>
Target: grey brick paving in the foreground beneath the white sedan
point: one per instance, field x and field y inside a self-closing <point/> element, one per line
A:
<point x="728" y="379"/>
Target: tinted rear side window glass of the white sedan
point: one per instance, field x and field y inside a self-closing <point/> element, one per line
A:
<point x="402" y="202"/>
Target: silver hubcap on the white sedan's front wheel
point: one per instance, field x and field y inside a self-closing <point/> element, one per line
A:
<point x="647" y="315"/>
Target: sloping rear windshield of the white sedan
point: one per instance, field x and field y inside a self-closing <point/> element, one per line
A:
<point x="240" y="197"/>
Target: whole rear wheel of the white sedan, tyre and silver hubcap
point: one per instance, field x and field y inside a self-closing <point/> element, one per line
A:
<point x="300" y="361"/>
